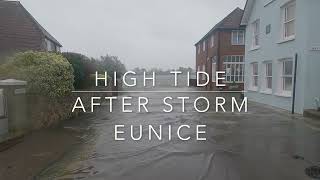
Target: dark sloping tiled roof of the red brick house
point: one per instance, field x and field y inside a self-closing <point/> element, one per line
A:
<point x="231" y="21"/>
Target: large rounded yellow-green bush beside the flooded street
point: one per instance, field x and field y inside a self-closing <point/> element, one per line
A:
<point x="47" y="74"/>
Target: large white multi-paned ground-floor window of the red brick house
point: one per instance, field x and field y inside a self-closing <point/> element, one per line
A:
<point x="234" y="68"/>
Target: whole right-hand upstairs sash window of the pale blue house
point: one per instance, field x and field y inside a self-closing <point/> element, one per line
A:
<point x="288" y="14"/>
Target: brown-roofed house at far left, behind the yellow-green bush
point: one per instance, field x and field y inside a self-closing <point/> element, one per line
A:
<point x="19" y="31"/>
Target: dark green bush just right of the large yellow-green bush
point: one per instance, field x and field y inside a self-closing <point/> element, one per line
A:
<point x="82" y="66"/>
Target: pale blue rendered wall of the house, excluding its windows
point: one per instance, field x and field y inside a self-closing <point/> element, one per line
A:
<point x="272" y="50"/>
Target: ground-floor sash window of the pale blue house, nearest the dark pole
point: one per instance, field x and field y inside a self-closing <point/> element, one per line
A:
<point x="287" y="74"/>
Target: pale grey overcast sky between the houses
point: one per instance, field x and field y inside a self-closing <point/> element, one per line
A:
<point x="144" y="33"/>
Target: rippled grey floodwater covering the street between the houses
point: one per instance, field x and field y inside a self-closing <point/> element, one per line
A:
<point x="257" y="145"/>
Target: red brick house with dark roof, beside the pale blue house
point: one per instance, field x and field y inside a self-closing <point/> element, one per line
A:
<point x="222" y="49"/>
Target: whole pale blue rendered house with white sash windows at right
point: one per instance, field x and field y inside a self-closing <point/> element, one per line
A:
<point x="278" y="32"/>
